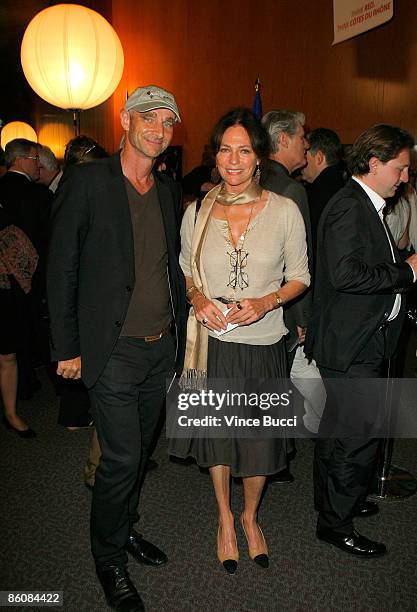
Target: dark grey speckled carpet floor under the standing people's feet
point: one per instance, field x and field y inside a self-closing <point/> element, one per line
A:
<point x="44" y="510"/>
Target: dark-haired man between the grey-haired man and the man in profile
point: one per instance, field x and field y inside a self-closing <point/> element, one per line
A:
<point x="324" y="174"/>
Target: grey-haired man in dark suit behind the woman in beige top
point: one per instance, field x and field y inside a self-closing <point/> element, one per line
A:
<point x="288" y="153"/>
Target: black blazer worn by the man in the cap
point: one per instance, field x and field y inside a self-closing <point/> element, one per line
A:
<point x="91" y="269"/>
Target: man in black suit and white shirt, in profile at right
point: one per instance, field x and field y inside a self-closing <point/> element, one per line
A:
<point x="357" y="317"/>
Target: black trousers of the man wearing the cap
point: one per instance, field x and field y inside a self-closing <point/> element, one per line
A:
<point x="126" y="405"/>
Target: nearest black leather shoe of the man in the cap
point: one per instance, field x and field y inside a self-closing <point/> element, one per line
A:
<point x="119" y="590"/>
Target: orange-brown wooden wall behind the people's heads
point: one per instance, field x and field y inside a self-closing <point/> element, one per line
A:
<point x="209" y="52"/>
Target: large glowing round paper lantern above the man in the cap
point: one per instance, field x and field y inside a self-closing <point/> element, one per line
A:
<point x="71" y="56"/>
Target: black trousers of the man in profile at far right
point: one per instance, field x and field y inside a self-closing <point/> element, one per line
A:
<point x="344" y="462"/>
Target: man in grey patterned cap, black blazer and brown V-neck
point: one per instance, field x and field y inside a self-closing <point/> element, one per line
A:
<point x="117" y="304"/>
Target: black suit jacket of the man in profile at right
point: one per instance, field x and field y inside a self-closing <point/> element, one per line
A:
<point x="356" y="281"/>
